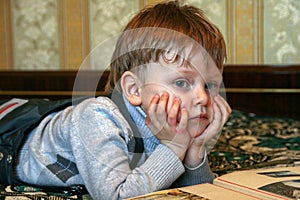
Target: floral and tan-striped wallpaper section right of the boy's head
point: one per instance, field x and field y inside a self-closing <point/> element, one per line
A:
<point x="266" y="31"/>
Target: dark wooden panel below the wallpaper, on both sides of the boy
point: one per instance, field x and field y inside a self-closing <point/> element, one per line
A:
<point x="261" y="89"/>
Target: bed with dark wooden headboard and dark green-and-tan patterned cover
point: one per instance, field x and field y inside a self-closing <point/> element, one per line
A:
<point x="263" y="130"/>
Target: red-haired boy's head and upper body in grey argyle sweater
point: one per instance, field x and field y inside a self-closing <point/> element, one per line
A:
<point x="164" y="84"/>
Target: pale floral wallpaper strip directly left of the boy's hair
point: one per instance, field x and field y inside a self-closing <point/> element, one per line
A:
<point x="107" y="18"/>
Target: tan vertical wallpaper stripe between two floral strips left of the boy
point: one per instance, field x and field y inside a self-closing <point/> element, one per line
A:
<point x="74" y="32"/>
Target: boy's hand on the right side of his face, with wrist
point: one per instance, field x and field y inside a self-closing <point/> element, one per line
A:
<point x="221" y="112"/>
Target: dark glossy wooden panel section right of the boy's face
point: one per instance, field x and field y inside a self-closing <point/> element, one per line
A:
<point x="266" y="90"/>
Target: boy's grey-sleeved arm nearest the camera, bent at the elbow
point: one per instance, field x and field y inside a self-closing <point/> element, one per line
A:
<point x="102" y="156"/>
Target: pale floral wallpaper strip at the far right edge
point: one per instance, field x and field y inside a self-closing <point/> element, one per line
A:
<point x="281" y="31"/>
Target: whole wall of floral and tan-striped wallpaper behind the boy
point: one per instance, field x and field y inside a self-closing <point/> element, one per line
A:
<point x="60" y="34"/>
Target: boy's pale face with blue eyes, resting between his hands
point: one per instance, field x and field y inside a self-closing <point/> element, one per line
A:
<point x="194" y="85"/>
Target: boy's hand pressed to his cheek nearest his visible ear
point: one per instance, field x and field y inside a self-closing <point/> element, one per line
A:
<point x="165" y="124"/>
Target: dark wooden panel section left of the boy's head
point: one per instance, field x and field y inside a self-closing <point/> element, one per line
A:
<point x="51" y="80"/>
